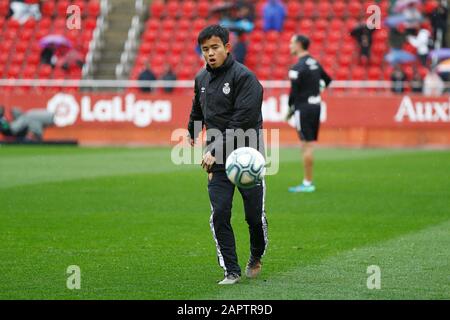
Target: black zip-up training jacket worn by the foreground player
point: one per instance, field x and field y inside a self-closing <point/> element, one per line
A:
<point x="229" y="97"/>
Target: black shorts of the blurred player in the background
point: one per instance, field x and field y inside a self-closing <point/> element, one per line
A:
<point x="307" y="122"/>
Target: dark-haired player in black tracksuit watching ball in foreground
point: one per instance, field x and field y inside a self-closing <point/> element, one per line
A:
<point x="228" y="97"/>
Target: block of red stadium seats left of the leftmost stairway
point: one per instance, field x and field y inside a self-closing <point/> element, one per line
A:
<point x="20" y="57"/>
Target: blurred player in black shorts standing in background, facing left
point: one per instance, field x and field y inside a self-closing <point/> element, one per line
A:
<point x="304" y="102"/>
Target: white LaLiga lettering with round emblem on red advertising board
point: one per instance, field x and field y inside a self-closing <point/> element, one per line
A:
<point x="140" y="112"/>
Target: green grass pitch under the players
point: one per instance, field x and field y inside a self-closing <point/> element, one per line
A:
<point x="138" y="226"/>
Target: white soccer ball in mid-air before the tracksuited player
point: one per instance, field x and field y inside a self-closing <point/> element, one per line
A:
<point x="245" y="167"/>
